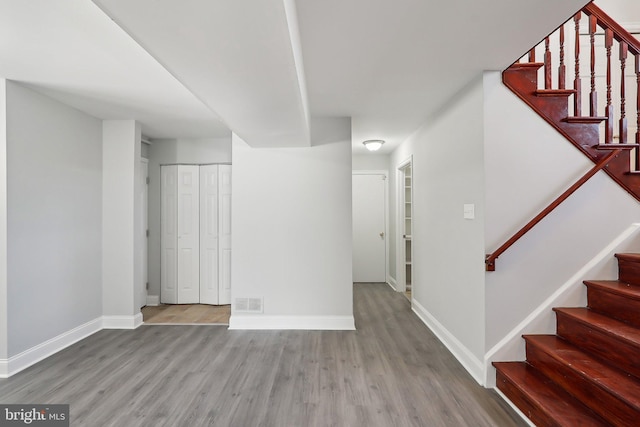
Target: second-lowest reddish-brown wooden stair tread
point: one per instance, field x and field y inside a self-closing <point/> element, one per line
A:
<point x="615" y="382"/>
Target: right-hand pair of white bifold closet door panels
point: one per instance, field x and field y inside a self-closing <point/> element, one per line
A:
<point x="215" y="234"/>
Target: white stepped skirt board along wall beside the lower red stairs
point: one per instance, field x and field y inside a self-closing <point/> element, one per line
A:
<point x="572" y="293"/>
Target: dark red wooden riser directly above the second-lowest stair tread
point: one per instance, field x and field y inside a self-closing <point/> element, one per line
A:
<point x="600" y="344"/>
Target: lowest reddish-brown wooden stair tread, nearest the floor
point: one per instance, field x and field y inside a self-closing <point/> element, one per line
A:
<point x="546" y="396"/>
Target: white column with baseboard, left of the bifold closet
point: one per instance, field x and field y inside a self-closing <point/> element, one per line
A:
<point x="120" y="239"/>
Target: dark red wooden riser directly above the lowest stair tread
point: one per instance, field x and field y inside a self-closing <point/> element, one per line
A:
<point x="584" y="389"/>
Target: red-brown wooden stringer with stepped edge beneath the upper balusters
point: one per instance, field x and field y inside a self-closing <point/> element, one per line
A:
<point x="522" y="80"/>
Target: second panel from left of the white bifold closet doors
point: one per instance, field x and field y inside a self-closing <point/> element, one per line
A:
<point x="188" y="234"/>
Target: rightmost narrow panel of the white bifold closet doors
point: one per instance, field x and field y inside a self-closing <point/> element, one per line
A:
<point x="224" y="221"/>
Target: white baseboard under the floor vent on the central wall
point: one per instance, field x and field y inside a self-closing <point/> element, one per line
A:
<point x="328" y="323"/>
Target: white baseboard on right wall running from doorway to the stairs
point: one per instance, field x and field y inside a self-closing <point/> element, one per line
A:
<point x="468" y="360"/>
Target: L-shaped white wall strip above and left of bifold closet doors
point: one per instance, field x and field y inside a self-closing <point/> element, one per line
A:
<point x="173" y="151"/>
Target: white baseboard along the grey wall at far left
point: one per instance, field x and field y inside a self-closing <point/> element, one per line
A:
<point x="27" y="358"/>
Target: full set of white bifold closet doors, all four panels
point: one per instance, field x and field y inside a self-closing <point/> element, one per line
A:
<point x="196" y="234"/>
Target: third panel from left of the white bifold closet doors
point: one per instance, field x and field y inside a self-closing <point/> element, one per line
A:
<point x="209" y="234"/>
